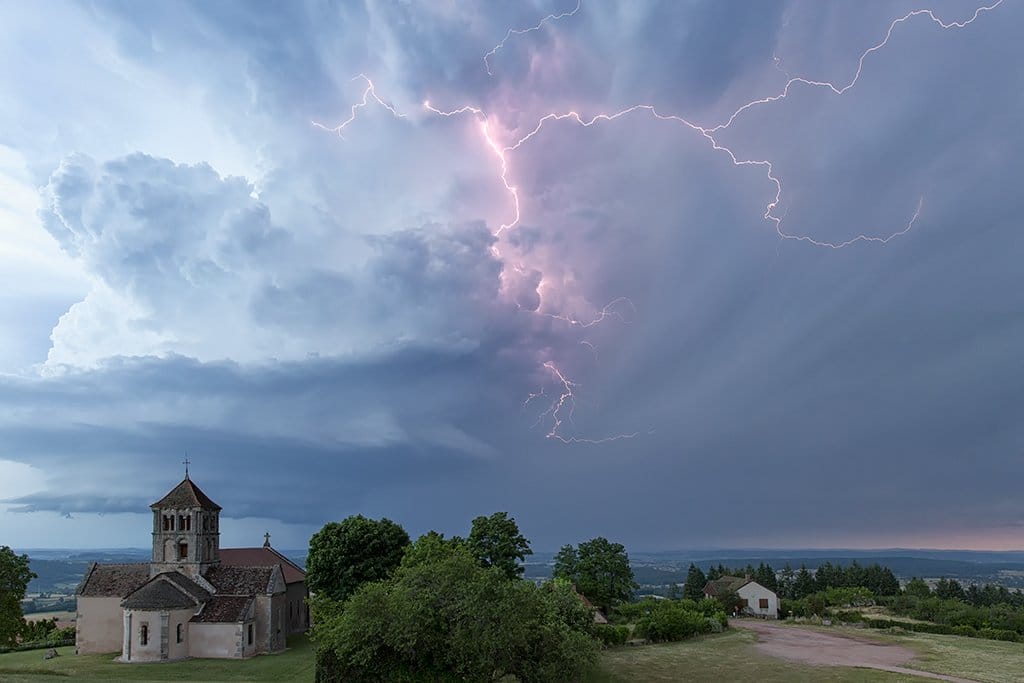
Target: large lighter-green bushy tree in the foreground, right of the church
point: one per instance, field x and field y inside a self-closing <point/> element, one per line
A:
<point x="451" y="619"/>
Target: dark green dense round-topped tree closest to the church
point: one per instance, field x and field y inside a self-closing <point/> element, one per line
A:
<point x="346" y="556"/>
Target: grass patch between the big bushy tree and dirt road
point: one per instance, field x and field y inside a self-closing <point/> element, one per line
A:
<point x="729" y="657"/>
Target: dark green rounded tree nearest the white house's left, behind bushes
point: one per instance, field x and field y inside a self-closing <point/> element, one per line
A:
<point x="601" y="571"/>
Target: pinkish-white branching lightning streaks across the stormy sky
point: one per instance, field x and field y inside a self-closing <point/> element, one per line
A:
<point x="562" y="410"/>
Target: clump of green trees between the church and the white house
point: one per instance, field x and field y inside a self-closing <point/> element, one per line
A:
<point x="388" y="609"/>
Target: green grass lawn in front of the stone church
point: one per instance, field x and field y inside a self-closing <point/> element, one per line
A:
<point x="293" y="666"/>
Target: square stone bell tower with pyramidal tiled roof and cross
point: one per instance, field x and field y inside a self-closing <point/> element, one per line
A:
<point x="186" y="531"/>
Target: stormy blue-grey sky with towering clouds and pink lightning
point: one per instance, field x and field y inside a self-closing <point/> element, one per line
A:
<point x="684" y="275"/>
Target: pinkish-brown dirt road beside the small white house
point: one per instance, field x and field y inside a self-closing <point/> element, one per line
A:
<point x="817" y="648"/>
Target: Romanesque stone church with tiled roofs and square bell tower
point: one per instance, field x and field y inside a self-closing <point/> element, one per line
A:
<point x="193" y="600"/>
